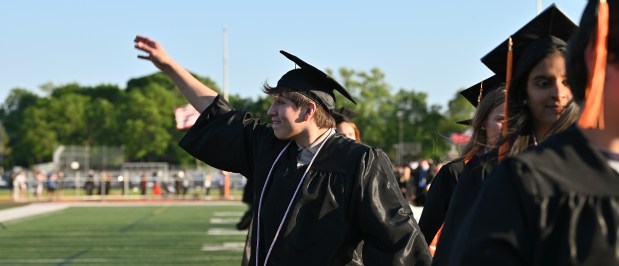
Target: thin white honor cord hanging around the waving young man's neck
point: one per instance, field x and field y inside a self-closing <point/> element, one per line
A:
<point x="289" y="204"/>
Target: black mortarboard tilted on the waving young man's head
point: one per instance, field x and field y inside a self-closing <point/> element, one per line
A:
<point x="312" y="82"/>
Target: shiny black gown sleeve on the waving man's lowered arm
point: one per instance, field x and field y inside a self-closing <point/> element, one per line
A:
<point x="392" y="237"/>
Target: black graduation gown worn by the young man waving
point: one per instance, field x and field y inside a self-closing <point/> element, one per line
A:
<point x="349" y="194"/>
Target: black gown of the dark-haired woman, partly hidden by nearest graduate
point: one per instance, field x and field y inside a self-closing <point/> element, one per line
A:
<point x="465" y="193"/>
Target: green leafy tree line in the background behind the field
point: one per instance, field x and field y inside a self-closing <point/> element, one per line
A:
<point x="140" y="118"/>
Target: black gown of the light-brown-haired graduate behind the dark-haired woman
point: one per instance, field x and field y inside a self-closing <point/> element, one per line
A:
<point x="439" y="195"/>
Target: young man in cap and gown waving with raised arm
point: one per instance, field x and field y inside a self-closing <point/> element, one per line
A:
<point x="318" y="194"/>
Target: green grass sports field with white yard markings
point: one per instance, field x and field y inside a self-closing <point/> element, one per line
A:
<point x="127" y="235"/>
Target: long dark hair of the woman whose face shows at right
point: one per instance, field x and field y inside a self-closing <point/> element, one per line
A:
<point x="520" y="120"/>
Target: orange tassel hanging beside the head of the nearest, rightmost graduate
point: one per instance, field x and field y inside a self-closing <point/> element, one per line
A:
<point x="592" y="115"/>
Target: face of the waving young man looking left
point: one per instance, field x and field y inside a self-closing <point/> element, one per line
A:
<point x="286" y="117"/>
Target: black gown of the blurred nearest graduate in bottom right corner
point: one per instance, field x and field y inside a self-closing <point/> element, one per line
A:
<point x="555" y="205"/>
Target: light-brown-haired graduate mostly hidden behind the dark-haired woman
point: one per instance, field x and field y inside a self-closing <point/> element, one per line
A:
<point x="488" y="98"/>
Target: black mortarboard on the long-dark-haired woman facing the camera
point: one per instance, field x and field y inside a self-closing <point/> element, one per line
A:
<point x="550" y="25"/>
